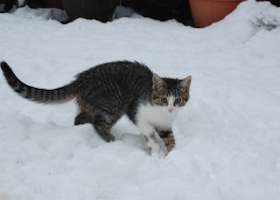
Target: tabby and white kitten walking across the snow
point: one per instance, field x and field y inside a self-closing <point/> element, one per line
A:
<point x="108" y="91"/>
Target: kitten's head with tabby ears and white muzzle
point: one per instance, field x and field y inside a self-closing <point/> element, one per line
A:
<point x="170" y="93"/>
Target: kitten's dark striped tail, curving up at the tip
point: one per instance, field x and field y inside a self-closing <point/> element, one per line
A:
<point x="57" y="95"/>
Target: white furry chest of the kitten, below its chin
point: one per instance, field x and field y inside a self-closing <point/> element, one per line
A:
<point x="157" y="116"/>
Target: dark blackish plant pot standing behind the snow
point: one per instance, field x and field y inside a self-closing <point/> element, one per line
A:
<point x="101" y="10"/>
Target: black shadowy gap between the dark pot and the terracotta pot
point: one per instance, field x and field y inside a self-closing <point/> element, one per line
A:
<point x="162" y="9"/>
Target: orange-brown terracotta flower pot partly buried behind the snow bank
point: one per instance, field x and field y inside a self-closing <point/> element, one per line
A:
<point x="205" y="12"/>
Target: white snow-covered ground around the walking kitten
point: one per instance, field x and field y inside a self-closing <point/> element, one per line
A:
<point x="228" y="136"/>
